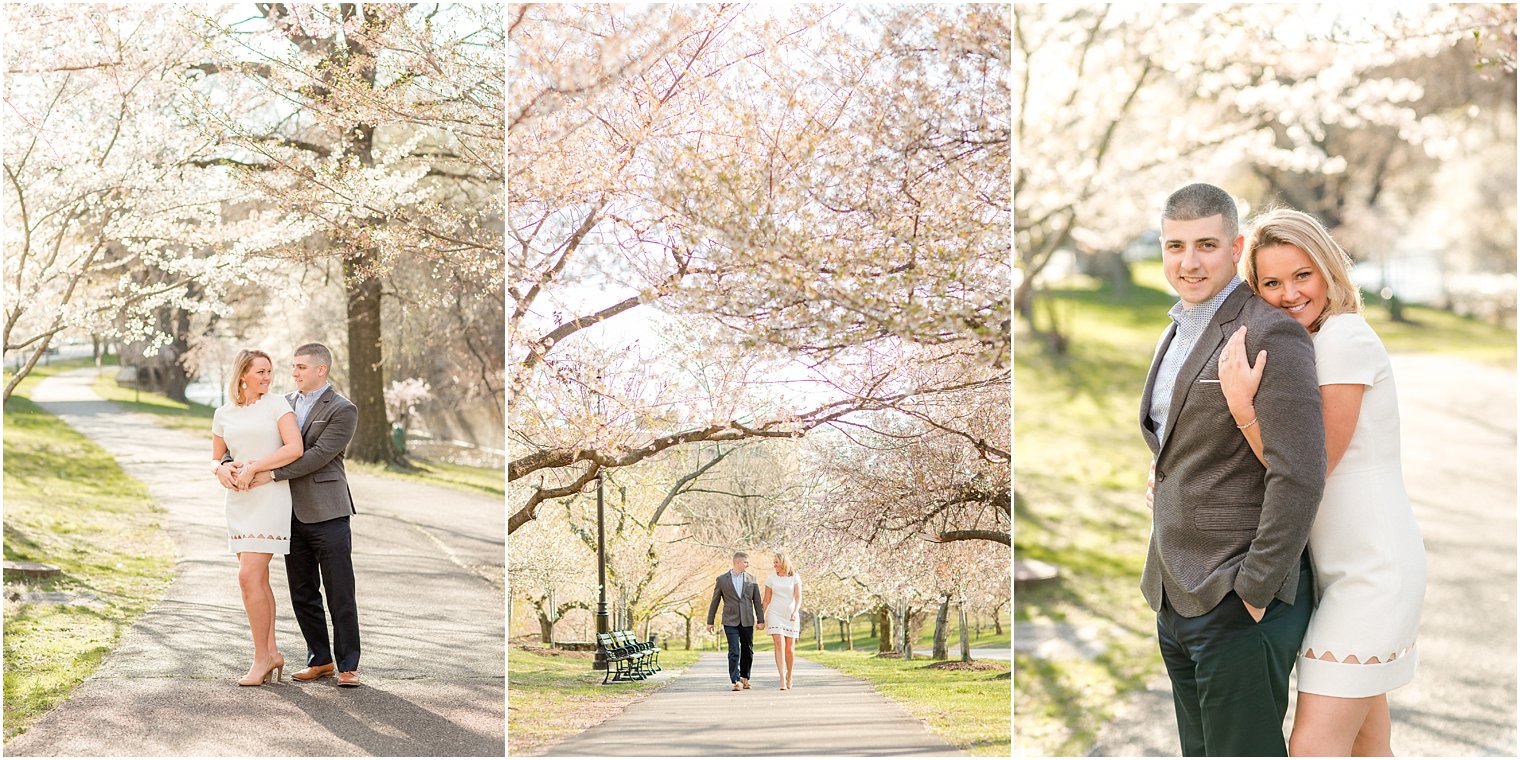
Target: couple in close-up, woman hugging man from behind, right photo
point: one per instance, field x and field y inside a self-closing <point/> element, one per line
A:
<point x="1281" y="534"/>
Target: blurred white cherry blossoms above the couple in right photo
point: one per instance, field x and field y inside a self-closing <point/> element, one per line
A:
<point x="1110" y="113"/>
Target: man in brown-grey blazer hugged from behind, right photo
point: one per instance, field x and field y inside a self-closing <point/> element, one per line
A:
<point x="1227" y="571"/>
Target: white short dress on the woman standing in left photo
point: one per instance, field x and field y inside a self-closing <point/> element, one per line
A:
<point x="259" y="519"/>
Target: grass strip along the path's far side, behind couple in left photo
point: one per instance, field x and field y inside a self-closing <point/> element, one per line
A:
<point x="197" y="419"/>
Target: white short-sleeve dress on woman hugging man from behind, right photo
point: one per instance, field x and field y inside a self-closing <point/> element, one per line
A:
<point x="1367" y="551"/>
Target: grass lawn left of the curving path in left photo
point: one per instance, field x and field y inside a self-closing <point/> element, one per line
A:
<point x="69" y="505"/>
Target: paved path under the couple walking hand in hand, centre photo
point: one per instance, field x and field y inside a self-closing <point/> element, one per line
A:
<point x="698" y="715"/>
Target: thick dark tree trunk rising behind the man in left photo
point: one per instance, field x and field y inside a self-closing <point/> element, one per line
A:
<point x="366" y="363"/>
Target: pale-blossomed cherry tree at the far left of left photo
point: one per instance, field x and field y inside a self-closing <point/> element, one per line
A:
<point x="104" y="226"/>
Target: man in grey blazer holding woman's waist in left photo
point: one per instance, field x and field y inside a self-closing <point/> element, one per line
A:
<point x="321" y="543"/>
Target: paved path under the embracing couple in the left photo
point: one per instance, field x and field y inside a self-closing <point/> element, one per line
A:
<point x="428" y="565"/>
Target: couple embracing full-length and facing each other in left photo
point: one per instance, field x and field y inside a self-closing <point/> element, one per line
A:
<point x="282" y="463"/>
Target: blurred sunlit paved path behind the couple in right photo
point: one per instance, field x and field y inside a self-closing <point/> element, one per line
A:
<point x="1458" y="434"/>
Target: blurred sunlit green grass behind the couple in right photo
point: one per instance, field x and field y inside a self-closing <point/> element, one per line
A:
<point x="1080" y="493"/>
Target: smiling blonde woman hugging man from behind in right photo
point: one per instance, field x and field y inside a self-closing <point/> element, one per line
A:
<point x="1366" y="546"/>
